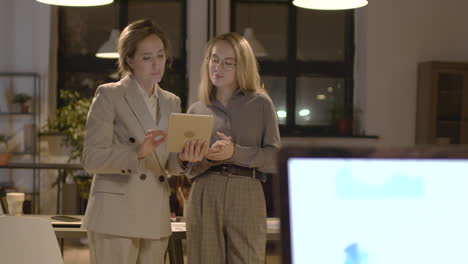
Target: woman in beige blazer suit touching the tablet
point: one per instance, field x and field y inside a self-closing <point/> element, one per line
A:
<point x="127" y="217"/>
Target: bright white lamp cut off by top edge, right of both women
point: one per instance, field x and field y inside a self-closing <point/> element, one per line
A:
<point x="330" y="4"/>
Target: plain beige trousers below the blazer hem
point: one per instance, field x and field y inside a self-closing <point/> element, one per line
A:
<point x="110" y="249"/>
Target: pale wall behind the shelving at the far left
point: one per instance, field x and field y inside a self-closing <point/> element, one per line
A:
<point x="24" y="47"/>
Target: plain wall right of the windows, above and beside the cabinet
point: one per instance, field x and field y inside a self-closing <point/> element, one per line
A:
<point x="396" y="35"/>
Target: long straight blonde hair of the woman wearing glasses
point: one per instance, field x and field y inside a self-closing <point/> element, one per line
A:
<point x="247" y="76"/>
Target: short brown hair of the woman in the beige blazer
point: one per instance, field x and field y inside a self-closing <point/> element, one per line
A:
<point x="132" y="35"/>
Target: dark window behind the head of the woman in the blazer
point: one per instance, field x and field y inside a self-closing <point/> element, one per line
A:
<point x="82" y="30"/>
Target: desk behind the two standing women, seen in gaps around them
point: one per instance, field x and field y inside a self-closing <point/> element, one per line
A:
<point x="176" y="255"/>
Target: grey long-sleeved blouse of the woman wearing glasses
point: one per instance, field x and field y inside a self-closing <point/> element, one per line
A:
<point x="250" y="119"/>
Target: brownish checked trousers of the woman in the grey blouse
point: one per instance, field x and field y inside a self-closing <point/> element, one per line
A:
<point x="226" y="220"/>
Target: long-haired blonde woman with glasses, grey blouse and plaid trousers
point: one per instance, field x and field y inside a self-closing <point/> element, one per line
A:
<point x="226" y="217"/>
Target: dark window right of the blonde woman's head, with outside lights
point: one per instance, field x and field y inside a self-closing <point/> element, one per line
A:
<point x="308" y="70"/>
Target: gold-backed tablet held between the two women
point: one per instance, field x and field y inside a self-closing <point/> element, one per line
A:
<point x="184" y="127"/>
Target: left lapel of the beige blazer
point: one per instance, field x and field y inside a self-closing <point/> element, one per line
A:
<point x="137" y="104"/>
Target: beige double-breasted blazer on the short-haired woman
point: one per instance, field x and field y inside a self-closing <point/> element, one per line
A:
<point x="129" y="197"/>
